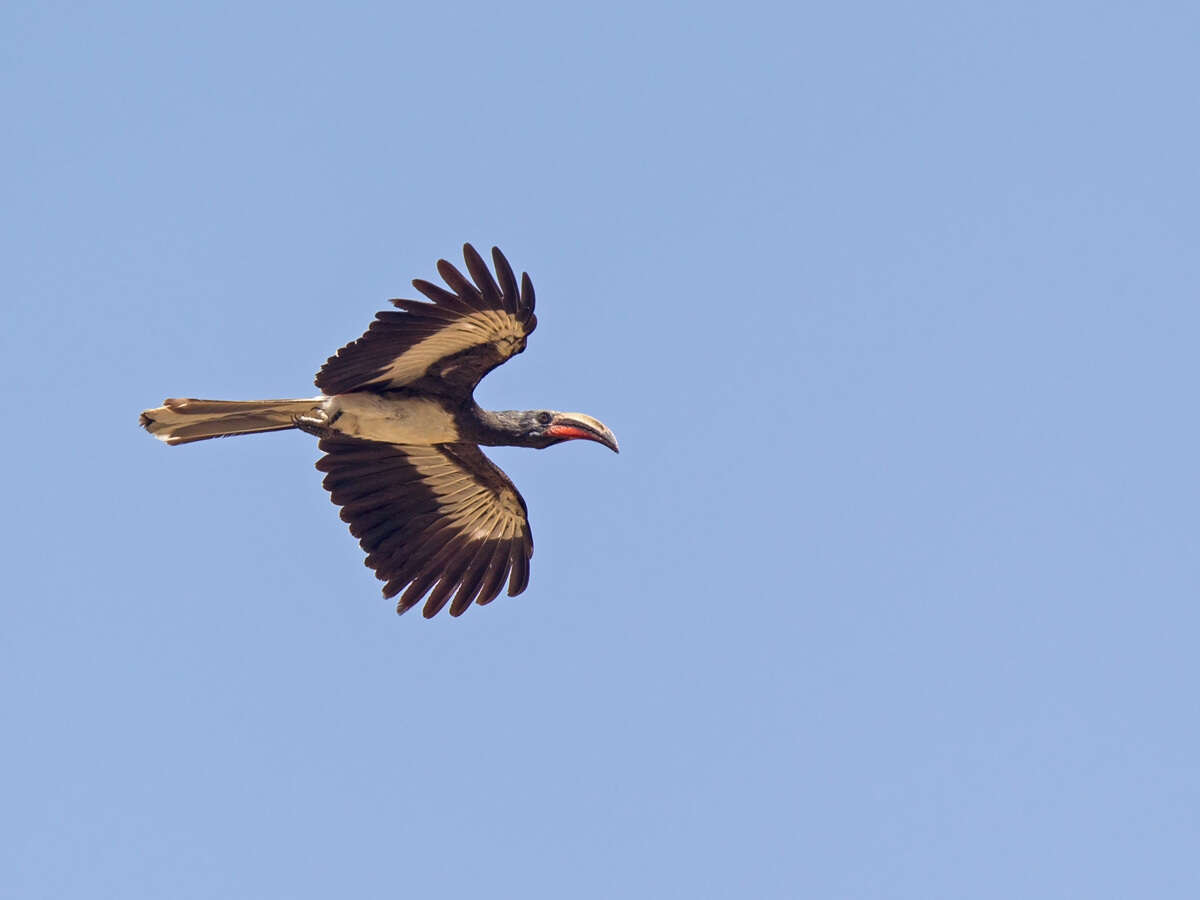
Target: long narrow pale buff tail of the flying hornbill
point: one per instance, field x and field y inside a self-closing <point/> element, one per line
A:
<point x="182" y="422"/>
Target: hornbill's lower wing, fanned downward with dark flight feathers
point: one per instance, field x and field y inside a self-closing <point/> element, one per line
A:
<point x="442" y="518"/>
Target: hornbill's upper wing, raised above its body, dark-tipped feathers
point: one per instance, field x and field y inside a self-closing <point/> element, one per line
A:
<point x="445" y="346"/>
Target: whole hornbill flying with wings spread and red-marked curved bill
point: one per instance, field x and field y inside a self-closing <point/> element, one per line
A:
<point x="400" y="430"/>
